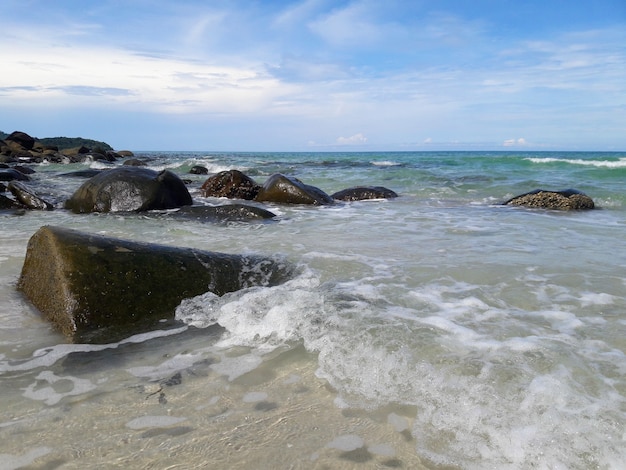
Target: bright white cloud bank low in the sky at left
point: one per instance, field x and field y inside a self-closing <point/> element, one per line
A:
<point x="156" y="83"/>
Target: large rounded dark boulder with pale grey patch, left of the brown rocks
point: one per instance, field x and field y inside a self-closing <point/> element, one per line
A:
<point x="130" y="189"/>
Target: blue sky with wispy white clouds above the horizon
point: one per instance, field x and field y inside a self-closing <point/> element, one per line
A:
<point x="317" y="75"/>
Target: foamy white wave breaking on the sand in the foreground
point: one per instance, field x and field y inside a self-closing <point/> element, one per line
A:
<point x="493" y="385"/>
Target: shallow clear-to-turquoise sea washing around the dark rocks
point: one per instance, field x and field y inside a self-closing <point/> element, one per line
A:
<point x="437" y="330"/>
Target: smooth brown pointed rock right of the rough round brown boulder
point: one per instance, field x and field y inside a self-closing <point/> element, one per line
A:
<point x="287" y="190"/>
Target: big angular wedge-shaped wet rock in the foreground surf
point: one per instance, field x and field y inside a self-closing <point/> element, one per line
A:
<point x="97" y="289"/>
